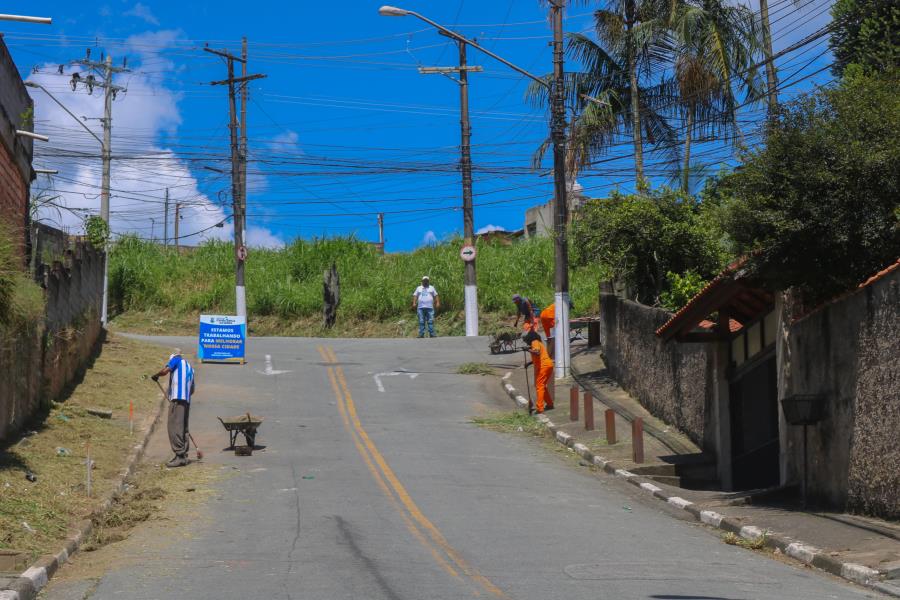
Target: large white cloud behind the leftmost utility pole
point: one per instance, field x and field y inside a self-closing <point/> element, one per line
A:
<point x="138" y="184"/>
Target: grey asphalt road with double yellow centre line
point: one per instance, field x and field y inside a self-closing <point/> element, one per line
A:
<point x="378" y="487"/>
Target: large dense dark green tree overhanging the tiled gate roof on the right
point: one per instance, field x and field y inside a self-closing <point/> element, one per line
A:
<point x="818" y="205"/>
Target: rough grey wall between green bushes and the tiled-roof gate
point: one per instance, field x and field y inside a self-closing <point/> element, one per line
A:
<point x="675" y="382"/>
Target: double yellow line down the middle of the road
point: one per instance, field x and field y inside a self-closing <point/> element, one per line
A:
<point x="403" y="495"/>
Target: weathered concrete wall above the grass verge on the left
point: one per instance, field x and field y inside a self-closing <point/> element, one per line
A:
<point x="44" y="359"/>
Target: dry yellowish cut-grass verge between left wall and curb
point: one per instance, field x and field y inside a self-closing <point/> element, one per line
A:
<point x="43" y="474"/>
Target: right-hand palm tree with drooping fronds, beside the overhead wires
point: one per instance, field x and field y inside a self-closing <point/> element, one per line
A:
<point x="717" y="45"/>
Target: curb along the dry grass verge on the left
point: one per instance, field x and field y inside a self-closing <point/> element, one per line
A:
<point x="30" y="582"/>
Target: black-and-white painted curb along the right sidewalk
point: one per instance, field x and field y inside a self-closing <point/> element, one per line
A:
<point x="804" y="553"/>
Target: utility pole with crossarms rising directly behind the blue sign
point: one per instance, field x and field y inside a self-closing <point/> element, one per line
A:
<point x="238" y="165"/>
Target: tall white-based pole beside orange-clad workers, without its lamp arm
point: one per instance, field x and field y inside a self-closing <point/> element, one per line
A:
<point x="560" y="198"/>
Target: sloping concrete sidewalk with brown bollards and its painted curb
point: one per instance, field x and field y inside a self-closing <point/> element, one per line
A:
<point x="860" y="549"/>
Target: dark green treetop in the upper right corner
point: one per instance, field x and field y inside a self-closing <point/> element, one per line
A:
<point x="866" y="33"/>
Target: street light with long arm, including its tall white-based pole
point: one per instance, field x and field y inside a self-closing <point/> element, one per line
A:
<point x="558" y="135"/>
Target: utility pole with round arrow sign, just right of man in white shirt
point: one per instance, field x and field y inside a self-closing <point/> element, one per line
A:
<point x="465" y="166"/>
